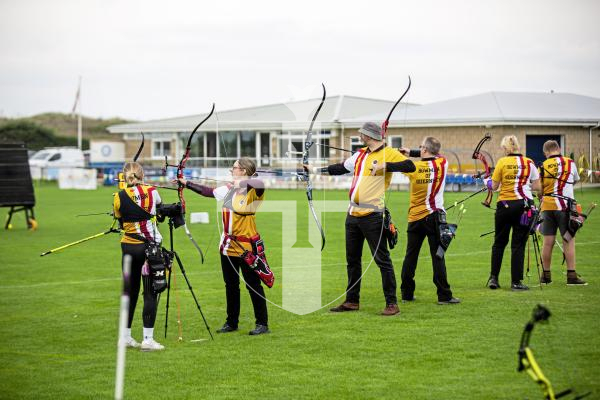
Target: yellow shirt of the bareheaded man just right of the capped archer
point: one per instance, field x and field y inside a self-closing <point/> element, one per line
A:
<point x="427" y="184"/>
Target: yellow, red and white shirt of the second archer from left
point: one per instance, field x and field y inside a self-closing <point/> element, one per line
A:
<point x="239" y="219"/>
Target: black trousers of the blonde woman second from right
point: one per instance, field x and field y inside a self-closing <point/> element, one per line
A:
<point x="508" y="216"/>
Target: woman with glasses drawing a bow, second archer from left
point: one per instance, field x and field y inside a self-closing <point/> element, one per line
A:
<point x="241" y="200"/>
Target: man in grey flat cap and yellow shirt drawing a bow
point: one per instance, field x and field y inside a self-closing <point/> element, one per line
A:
<point x="364" y="220"/>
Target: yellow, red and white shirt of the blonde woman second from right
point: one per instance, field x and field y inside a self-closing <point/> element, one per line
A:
<point x="515" y="173"/>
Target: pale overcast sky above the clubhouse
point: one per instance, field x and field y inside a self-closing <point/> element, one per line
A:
<point x="157" y="59"/>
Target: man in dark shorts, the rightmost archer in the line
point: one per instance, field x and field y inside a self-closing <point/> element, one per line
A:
<point x="559" y="175"/>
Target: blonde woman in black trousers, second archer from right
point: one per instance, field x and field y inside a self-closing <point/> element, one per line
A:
<point x="516" y="176"/>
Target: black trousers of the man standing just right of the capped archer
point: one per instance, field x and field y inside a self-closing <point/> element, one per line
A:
<point x="416" y="233"/>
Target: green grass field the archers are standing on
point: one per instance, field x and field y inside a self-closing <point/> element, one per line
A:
<point x="58" y="325"/>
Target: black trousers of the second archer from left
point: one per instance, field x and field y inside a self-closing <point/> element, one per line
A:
<point x="231" y="267"/>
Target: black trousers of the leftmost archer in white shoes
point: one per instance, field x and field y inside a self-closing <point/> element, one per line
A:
<point x="138" y="258"/>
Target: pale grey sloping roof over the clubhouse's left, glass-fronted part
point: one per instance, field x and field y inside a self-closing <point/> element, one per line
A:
<point x="290" y="115"/>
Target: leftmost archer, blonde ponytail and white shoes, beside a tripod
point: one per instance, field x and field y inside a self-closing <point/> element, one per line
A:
<point x="135" y="207"/>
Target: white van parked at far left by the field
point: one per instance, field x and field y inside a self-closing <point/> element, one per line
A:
<point x="46" y="163"/>
